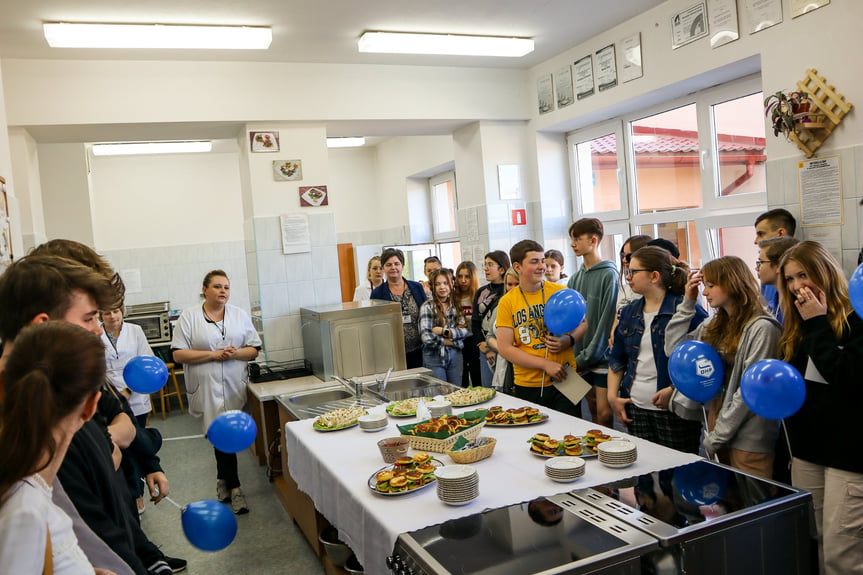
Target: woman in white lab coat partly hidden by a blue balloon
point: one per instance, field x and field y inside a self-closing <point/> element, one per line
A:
<point x="124" y="341"/>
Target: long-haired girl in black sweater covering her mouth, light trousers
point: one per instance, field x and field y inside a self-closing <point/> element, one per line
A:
<point x="823" y="339"/>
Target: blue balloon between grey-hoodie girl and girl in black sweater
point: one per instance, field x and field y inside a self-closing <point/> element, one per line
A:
<point x="773" y="389"/>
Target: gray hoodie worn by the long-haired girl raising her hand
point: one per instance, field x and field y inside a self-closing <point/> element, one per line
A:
<point x="736" y="426"/>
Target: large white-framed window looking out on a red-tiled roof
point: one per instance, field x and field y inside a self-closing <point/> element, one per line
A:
<point x="689" y="170"/>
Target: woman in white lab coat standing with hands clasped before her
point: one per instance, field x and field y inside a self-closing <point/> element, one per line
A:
<point x="214" y="342"/>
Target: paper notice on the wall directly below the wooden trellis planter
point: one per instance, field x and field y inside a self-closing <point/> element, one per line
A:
<point x="820" y="186"/>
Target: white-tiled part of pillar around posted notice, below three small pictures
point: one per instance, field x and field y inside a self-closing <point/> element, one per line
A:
<point x="289" y="282"/>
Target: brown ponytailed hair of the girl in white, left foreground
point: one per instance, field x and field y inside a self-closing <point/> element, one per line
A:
<point x="52" y="370"/>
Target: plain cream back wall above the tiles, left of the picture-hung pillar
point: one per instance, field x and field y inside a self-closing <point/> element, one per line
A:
<point x="170" y="199"/>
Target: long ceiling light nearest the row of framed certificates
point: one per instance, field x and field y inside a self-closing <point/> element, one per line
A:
<point x="447" y="44"/>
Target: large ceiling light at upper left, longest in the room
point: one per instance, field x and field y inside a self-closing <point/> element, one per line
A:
<point x="68" y="35"/>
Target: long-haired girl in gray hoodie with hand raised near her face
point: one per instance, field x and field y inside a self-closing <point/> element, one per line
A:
<point x="743" y="333"/>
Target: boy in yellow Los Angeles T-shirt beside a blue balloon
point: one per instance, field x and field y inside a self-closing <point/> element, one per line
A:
<point x="538" y="358"/>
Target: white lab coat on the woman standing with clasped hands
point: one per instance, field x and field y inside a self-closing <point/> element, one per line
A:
<point x="215" y="387"/>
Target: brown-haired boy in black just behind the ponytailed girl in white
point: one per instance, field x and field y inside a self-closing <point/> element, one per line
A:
<point x="39" y="288"/>
